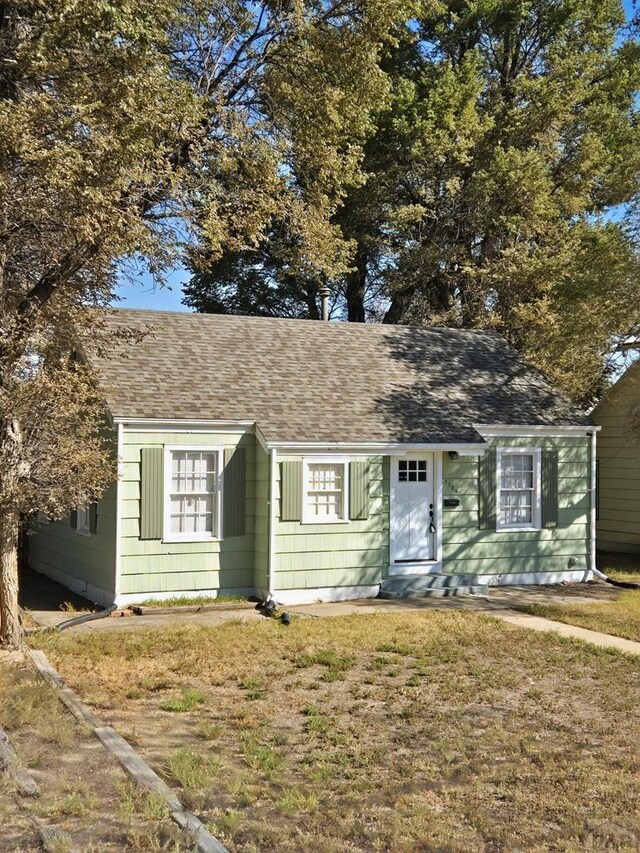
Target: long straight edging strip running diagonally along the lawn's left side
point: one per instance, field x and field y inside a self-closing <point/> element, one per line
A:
<point x="133" y="765"/>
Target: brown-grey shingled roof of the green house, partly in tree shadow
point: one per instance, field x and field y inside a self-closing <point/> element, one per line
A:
<point x="310" y="381"/>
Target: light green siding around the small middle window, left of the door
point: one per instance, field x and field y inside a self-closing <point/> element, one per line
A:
<point x="352" y="553"/>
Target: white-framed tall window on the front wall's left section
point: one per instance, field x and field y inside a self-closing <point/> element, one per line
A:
<point x="192" y="499"/>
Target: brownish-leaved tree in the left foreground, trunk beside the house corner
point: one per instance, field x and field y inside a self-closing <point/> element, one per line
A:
<point x="126" y="130"/>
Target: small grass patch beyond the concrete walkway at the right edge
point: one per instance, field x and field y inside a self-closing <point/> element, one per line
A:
<point x="620" y="617"/>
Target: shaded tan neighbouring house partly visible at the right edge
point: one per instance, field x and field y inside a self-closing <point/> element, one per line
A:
<point x="618" y="414"/>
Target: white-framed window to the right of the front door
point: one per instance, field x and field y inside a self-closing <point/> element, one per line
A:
<point x="519" y="488"/>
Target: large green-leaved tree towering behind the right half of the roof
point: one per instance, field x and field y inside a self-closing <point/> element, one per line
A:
<point x="495" y="184"/>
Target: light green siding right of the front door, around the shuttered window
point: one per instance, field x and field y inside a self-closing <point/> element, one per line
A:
<point x="467" y="549"/>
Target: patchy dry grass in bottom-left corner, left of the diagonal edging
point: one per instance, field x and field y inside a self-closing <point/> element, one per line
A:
<point x="84" y="794"/>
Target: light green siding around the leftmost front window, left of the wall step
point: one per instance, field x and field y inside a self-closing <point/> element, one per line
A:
<point x="149" y="566"/>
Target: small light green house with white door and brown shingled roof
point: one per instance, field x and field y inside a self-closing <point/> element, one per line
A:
<point x="311" y="460"/>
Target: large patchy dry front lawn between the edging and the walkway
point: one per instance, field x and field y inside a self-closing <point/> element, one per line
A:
<point x="437" y="731"/>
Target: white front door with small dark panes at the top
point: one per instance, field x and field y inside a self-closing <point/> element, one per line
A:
<point x="413" y="537"/>
